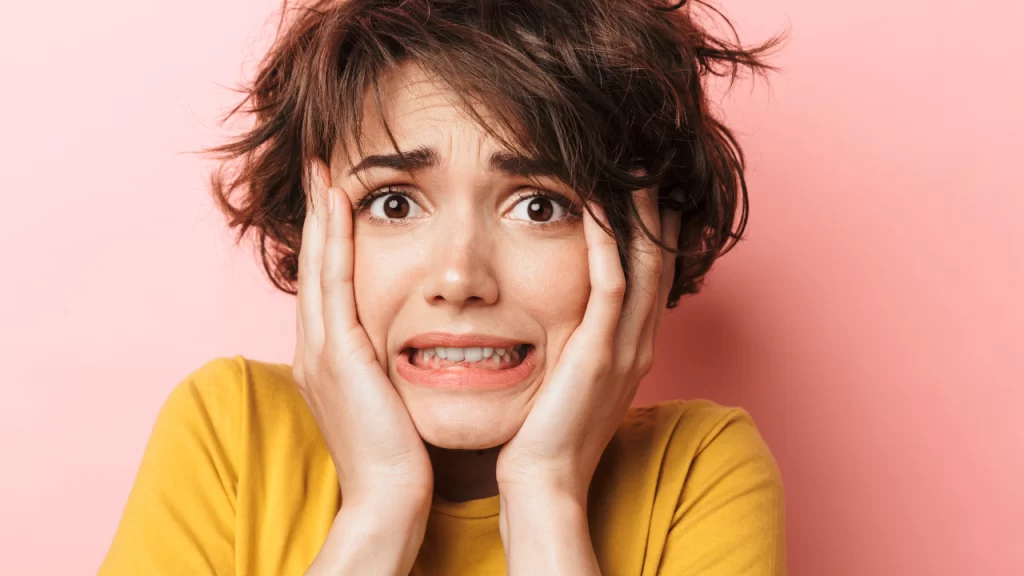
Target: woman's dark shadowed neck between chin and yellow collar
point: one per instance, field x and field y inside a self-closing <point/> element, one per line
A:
<point x="464" y="475"/>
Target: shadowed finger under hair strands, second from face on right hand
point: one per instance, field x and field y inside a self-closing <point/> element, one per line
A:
<point x="646" y="260"/>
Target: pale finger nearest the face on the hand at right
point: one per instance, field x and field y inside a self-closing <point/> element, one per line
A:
<point x="608" y="281"/>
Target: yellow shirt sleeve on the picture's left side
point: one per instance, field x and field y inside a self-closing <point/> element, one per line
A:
<point x="180" y="518"/>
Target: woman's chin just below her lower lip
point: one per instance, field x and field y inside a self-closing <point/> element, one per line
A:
<point x="461" y="422"/>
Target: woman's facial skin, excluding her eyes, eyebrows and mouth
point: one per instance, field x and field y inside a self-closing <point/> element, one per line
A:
<point x="464" y="265"/>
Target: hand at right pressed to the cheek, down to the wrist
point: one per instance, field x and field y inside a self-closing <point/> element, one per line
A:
<point x="581" y="406"/>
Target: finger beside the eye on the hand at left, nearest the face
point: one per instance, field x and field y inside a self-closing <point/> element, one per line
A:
<point x="340" y="320"/>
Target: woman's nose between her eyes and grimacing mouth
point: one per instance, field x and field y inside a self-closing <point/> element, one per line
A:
<point x="462" y="269"/>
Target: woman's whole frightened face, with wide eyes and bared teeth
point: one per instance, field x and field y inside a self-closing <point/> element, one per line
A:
<point x="458" y="258"/>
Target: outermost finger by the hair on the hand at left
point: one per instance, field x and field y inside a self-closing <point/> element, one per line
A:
<point x="311" y="256"/>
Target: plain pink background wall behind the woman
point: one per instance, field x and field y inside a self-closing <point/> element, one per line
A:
<point x="871" y="323"/>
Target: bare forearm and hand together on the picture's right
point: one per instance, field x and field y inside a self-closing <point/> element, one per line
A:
<point x="544" y="473"/>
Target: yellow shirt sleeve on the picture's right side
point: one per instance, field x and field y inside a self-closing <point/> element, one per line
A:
<point x="731" y="520"/>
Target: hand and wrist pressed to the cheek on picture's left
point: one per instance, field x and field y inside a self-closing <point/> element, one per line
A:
<point x="383" y="468"/>
